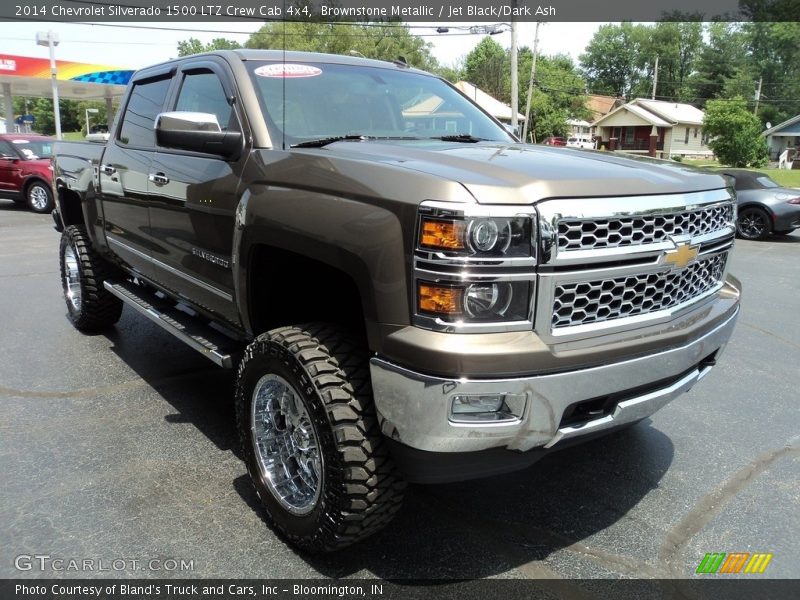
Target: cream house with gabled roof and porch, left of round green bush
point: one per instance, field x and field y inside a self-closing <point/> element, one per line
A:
<point x="679" y="128"/>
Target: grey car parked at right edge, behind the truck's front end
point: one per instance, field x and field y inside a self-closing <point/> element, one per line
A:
<point x="764" y="206"/>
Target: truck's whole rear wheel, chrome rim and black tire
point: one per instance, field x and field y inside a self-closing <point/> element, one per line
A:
<point x="90" y="306"/>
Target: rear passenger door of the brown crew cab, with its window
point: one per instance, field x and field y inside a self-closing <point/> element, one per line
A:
<point x="124" y="169"/>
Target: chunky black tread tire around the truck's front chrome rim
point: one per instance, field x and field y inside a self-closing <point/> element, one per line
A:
<point x="369" y="490"/>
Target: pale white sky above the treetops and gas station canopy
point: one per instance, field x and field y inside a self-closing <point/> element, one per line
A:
<point x="134" y="48"/>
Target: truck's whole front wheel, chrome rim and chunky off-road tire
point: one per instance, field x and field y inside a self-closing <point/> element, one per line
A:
<point x="310" y="437"/>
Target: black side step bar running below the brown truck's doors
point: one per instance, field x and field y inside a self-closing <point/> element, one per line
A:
<point x="192" y="331"/>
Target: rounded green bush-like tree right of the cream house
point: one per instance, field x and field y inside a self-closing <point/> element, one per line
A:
<point x="735" y="133"/>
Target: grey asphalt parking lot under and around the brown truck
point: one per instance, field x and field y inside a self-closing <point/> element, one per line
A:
<point x="122" y="446"/>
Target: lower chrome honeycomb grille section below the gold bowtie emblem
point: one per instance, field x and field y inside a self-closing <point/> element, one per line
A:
<point x="599" y="300"/>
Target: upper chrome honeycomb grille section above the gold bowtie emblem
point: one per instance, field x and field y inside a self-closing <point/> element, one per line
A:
<point x="579" y="234"/>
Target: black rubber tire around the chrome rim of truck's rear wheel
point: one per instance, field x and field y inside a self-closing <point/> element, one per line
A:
<point x="99" y="308"/>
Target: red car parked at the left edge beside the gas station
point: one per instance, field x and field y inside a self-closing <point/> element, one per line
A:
<point x="25" y="173"/>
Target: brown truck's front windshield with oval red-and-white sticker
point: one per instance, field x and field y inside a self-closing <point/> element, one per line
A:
<point x="310" y="101"/>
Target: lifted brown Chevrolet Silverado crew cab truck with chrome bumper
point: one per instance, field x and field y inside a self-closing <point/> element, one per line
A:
<point x="407" y="292"/>
